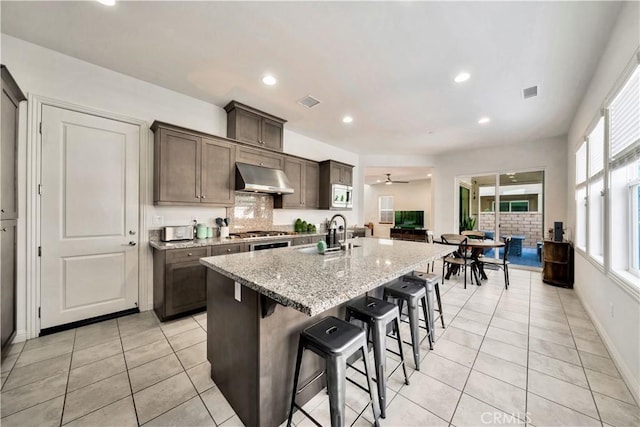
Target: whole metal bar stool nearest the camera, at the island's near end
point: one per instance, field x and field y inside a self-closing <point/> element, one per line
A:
<point x="334" y="340"/>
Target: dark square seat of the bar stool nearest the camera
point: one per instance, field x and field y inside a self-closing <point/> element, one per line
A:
<point x="333" y="335"/>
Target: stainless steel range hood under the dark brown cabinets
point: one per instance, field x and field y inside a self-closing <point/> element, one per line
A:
<point x="261" y="180"/>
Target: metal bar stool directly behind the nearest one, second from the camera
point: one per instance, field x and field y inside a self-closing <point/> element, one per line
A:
<point x="377" y="315"/>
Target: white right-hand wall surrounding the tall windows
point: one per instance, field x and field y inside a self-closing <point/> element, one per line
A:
<point x="621" y="332"/>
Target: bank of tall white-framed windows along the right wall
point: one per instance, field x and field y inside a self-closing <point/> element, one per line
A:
<point x="607" y="191"/>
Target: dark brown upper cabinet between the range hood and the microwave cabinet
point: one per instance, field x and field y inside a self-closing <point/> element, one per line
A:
<point x="304" y="178"/>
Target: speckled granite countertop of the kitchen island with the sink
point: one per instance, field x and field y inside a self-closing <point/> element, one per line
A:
<point x="313" y="283"/>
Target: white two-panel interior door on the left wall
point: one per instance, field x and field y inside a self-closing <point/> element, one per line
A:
<point x="89" y="216"/>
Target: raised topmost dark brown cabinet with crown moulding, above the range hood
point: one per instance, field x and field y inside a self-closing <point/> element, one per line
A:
<point x="253" y="126"/>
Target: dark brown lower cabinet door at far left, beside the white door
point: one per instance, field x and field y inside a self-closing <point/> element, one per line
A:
<point x="8" y="229"/>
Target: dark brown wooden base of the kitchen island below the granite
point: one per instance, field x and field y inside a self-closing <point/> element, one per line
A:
<point x="253" y="357"/>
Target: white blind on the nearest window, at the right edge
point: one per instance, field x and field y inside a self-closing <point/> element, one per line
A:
<point x="624" y="120"/>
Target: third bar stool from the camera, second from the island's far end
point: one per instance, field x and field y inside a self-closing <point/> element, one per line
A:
<point x="414" y="294"/>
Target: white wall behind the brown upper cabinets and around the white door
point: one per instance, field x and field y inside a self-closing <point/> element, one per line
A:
<point x="44" y="72"/>
